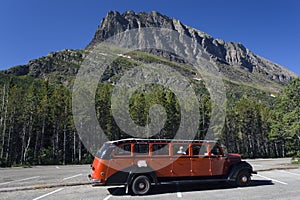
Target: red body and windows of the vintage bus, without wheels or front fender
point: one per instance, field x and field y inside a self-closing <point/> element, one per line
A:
<point x="117" y="159"/>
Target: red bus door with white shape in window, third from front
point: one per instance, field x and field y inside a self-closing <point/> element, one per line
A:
<point x="181" y="163"/>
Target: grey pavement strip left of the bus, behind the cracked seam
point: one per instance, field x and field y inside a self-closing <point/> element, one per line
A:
<point x="42" y="177"/>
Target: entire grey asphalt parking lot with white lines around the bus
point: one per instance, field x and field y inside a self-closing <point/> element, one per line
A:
<point x="276" y="179"/>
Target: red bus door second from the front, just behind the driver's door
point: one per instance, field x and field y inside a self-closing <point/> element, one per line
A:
<point x="200" y="161"/>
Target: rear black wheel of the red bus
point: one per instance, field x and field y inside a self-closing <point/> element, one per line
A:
<point x="141" y="185"/>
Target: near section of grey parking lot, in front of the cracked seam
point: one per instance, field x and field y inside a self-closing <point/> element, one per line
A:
<point x="277" y="184"/>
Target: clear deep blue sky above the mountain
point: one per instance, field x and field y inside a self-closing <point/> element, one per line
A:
<point x="32" y="28"/>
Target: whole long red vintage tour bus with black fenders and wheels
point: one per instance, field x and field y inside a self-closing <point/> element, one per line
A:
<point x="140" y="163"/>
